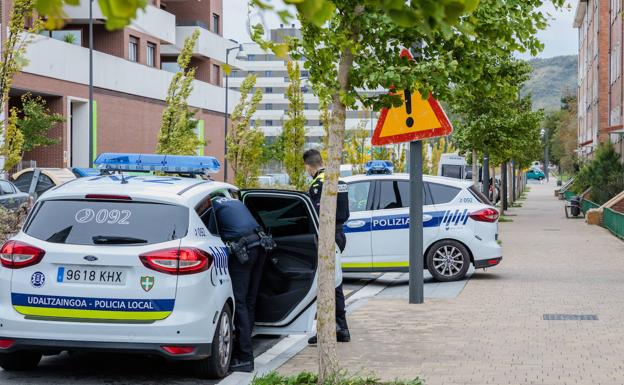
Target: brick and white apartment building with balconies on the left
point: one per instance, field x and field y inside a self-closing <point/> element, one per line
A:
<point x="132" y="70"/>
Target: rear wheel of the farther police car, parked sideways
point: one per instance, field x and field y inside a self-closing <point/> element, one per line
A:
<point x="448" y="261"/>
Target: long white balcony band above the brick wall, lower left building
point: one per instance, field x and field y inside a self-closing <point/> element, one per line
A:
<point x="59" y="60"/>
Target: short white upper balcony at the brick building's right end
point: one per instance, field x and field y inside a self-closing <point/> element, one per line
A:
<point x="209" y="44"/>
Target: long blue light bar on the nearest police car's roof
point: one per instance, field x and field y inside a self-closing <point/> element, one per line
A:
<point x="110" y="161"/>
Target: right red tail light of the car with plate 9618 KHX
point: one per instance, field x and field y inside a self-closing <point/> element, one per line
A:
<point x="186" y="260"/>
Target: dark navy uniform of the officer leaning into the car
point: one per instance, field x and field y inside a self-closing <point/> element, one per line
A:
<point x="235" y="222"/>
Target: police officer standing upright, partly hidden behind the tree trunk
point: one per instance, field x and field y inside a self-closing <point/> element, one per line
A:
<point x="314" y="167"/>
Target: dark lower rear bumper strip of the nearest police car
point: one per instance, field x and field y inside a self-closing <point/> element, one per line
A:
<point x="199" y="350"/>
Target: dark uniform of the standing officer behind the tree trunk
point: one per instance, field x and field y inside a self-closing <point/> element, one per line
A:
<point x="342" y="215"/>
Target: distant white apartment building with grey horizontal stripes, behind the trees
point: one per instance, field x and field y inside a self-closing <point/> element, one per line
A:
<point x="273" y="81"/>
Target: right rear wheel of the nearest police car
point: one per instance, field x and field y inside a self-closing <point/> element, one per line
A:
<point x="217" y="365"/>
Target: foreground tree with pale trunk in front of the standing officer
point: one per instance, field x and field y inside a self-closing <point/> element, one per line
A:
<point x="357" y="45"/>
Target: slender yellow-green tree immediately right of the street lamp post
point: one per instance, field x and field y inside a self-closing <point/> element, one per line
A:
<point x="244" y="143"/>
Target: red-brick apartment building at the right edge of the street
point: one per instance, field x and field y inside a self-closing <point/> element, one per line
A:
<point x="600" y="82"/>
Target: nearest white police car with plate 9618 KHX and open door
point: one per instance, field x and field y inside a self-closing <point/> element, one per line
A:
<point x="134" y="264"/>
